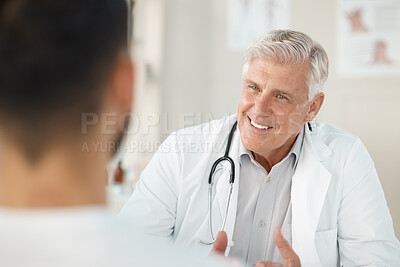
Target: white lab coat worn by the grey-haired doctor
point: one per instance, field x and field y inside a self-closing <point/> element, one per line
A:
<point x="339" y="211"/>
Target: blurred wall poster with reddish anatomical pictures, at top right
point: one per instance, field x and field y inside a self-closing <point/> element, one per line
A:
<point x="369" y="37"/>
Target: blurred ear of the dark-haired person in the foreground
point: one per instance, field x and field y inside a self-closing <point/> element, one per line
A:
<point x="121" y="83"/>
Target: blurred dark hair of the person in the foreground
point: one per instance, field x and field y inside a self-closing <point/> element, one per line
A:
<point x="55" y="59"/>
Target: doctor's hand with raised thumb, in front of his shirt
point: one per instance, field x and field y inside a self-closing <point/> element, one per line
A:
<point x="290" y="258"/>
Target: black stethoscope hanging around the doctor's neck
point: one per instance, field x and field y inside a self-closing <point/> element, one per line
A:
<point x="214" y="169"/>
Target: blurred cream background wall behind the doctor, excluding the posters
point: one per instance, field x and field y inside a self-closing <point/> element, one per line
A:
<point x="186" y="74"/>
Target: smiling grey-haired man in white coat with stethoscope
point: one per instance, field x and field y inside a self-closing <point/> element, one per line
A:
<point x="317" y="183"/>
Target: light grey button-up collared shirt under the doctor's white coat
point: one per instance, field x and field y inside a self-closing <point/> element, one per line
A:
<point x="263" y="205"/>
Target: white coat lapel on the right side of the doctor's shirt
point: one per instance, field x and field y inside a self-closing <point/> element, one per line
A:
<point x="309" y="187"/>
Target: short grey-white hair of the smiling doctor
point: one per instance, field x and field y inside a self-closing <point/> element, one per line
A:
<point x="291" y="47"/>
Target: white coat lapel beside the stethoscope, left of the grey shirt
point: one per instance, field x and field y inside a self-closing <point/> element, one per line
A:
<point x="222" y="190"/>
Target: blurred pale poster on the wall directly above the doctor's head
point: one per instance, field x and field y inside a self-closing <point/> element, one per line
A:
<point x="249" y="20"/>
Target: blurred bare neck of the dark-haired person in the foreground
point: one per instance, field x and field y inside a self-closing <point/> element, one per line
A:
<point x="61" y="177"/>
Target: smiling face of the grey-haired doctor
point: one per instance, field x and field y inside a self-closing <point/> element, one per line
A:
<point x="274" y="106"/>
